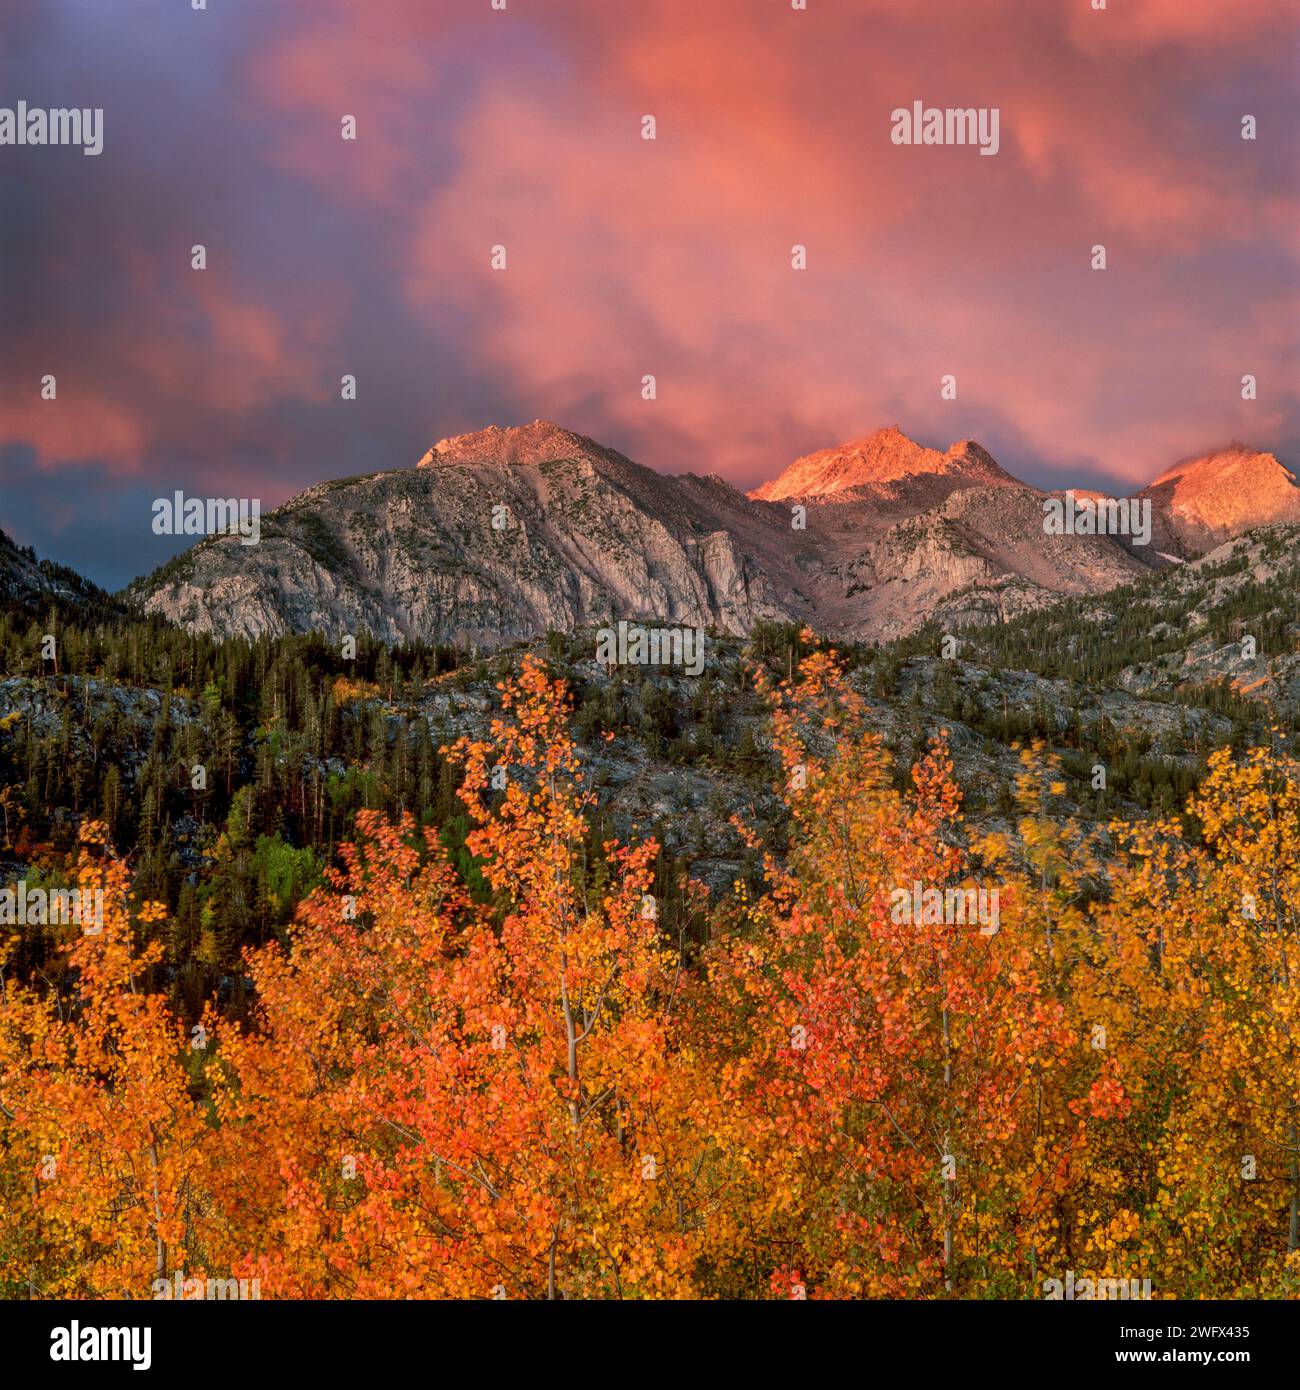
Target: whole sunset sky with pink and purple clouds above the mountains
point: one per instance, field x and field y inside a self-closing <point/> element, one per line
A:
<point x="626" y="258"/>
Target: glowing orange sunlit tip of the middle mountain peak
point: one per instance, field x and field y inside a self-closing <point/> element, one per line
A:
<point x="881" y="459"/>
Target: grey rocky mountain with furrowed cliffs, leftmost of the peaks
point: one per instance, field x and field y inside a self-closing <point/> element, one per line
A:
<point x="480" y="544"/>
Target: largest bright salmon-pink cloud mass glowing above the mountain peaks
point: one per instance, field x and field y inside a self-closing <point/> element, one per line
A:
<point x="674" y="258"/>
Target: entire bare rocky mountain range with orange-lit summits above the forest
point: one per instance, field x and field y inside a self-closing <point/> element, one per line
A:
<point x="504" y="534"/>
